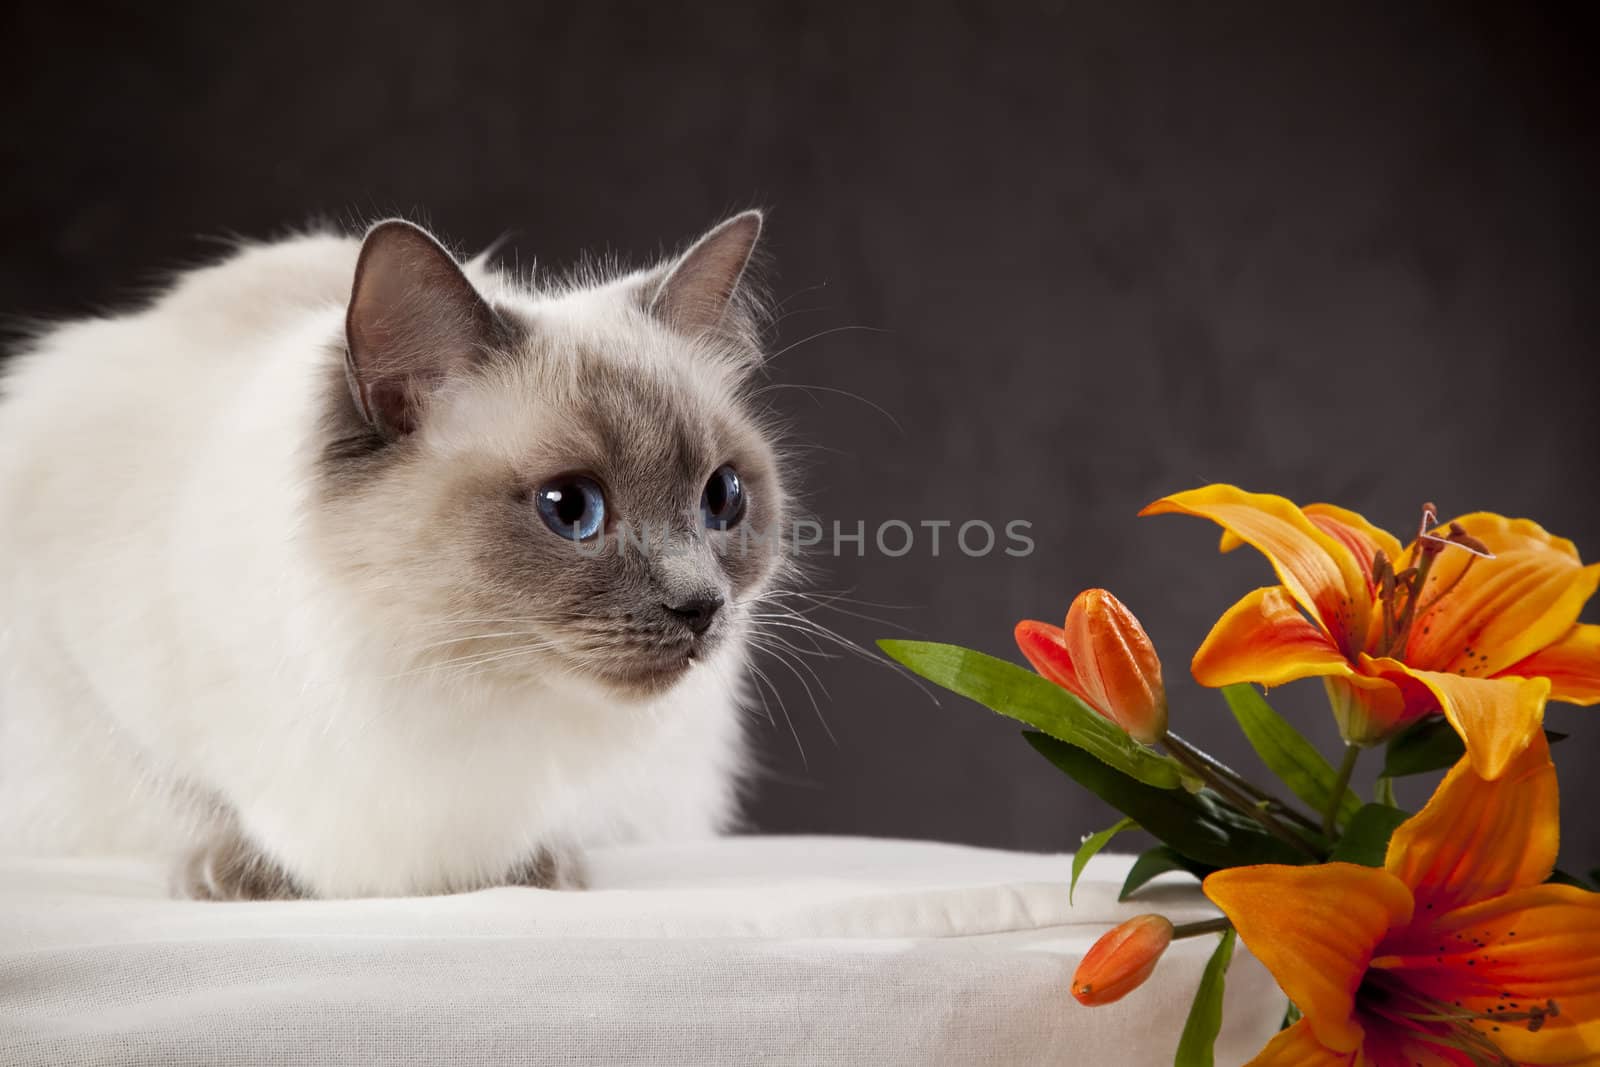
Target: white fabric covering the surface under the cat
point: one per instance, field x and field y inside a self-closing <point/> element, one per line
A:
<point x="759" y="949"/>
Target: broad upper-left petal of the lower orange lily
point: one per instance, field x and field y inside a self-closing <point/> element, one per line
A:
<point x="1316" y="930"/>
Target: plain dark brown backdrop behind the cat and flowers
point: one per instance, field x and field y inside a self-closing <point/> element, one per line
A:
<point x="1340" y="252"/>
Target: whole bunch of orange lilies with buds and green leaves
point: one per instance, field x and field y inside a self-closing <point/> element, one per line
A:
<point x="1441" y="937"/>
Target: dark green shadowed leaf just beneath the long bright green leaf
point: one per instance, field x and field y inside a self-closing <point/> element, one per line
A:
<point x="1199" y="826"/>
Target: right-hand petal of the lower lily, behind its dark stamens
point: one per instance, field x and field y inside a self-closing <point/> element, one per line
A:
<point x="1516" y="953"/>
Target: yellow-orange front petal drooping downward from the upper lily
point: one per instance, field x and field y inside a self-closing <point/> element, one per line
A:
<point x="1495" y="717"/>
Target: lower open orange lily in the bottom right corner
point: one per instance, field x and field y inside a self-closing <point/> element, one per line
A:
<point x="1454" y="953"/>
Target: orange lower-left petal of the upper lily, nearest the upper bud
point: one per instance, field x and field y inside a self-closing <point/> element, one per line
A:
<point x="1266" y="639"/>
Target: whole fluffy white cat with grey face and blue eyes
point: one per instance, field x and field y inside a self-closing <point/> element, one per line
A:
<point x="316" y="573"/>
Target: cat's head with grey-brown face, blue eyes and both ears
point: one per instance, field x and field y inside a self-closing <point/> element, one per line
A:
<point x="553" y="484"/>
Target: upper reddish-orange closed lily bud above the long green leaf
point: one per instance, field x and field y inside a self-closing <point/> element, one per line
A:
<point x="1105" y="658"/>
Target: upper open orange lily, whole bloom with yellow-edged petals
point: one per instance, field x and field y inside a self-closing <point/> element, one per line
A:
<point x="1479" y="621"/>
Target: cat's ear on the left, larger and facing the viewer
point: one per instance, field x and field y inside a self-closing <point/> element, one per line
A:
<point x="414" y="322"/>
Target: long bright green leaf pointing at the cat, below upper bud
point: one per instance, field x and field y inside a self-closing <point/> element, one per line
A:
<point x="1042" y="705"/>
